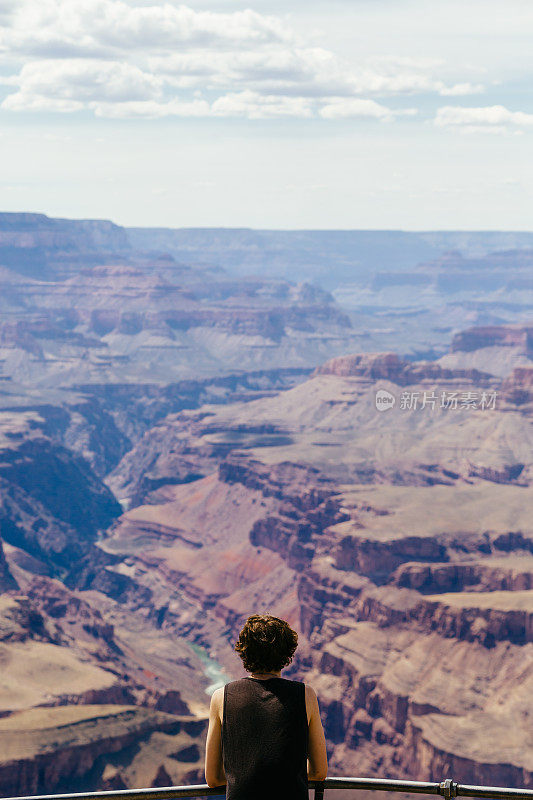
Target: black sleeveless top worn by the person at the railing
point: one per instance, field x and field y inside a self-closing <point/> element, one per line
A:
<point x="265" y="739"/>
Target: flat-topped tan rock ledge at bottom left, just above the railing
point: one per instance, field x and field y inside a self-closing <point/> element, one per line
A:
<point x="96" y="745"/>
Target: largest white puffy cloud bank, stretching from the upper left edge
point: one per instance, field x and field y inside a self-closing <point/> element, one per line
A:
<point x="119" y="58"/>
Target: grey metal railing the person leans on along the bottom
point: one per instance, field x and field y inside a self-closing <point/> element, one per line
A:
<point x="447" y="788"/>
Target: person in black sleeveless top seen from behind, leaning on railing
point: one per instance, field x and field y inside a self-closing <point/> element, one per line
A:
<point x="265" y="737"/>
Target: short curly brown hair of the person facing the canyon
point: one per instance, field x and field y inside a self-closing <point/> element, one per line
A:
<point x="266" y="643"/>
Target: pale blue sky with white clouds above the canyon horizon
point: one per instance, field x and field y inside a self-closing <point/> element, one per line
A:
<point x="403" y="114"/>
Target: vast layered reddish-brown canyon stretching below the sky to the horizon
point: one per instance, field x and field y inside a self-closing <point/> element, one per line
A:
<point x="182" y="445"/>
